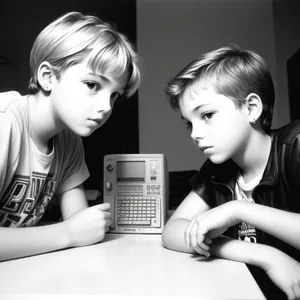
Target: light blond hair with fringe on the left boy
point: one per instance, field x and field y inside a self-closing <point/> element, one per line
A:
<point x="73" y="37"/>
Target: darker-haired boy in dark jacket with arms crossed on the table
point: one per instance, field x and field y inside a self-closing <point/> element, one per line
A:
<point x="248" y="188"/>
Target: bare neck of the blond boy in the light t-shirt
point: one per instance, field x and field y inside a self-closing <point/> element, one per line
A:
<point x="43" y="126"/>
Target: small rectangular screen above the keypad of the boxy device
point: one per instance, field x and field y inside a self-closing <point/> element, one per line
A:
<point x="131" y="171"/>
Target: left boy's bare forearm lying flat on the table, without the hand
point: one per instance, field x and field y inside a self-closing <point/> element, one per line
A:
<point x="21" y="242"/>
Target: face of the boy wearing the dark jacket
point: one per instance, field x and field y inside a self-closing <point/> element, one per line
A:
<point x="218" y="127"/>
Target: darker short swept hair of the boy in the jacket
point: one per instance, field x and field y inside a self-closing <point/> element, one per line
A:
<point x="232" y="72"/>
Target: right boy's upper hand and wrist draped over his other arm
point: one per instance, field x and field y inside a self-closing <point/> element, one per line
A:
<point x="210" y="224"/>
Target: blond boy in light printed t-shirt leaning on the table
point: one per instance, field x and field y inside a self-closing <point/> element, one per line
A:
<point x="80" y="66"/>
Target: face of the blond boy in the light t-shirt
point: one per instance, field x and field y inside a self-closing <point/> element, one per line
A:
<point x="82" y="100"/>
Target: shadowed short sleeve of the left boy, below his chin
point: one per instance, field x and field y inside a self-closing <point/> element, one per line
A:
<point x="73" y="166"/>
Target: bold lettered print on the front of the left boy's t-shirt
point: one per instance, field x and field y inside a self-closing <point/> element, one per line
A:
<point x="24" y="203"/>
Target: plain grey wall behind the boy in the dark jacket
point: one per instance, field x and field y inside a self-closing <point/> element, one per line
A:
<point x="171" y="33"/>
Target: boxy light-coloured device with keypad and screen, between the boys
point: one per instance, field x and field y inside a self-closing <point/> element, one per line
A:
<point x="136" y="186"/>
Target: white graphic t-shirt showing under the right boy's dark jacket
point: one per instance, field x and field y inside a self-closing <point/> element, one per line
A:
<point x="243" y="190"/>
